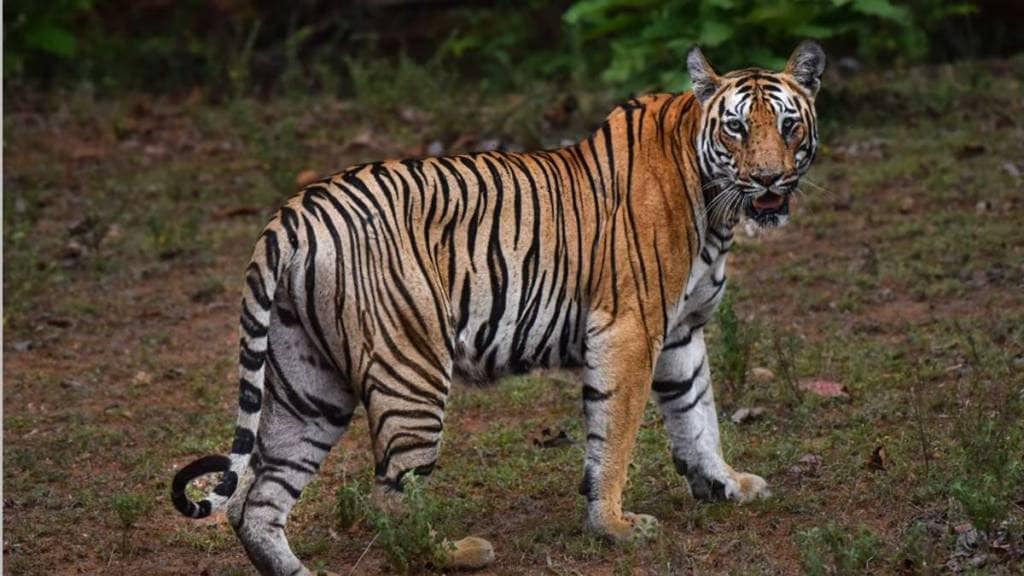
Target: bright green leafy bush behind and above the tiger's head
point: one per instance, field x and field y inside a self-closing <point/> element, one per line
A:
<point x="643" y="45"/>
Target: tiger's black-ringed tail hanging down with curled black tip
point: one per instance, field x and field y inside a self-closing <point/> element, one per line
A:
<point x="272" y="258"/>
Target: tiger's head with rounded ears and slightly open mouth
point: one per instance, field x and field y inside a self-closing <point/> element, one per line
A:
<point x="758" y="135"/>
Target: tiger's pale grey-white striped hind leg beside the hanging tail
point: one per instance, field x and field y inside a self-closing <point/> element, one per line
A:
<point x="309" y="407"/>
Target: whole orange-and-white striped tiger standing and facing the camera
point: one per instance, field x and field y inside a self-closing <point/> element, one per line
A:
<point x="379" y="285"/>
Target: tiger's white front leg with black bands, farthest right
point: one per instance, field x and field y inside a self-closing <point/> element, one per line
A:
<point x="682" y="388"/>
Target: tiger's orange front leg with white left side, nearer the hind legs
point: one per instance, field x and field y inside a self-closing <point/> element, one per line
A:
<point x="617" y="385"/>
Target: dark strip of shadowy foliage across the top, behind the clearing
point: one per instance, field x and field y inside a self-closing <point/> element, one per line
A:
<point x="246" y="48"/>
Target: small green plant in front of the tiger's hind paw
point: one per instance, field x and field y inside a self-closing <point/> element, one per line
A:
<point x="409" y="540"/>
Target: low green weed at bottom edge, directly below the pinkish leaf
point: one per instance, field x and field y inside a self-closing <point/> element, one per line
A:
<point x="833" y="551"/>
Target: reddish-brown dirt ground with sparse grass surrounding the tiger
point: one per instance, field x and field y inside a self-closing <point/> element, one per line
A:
<point x="127" y="224"/>
